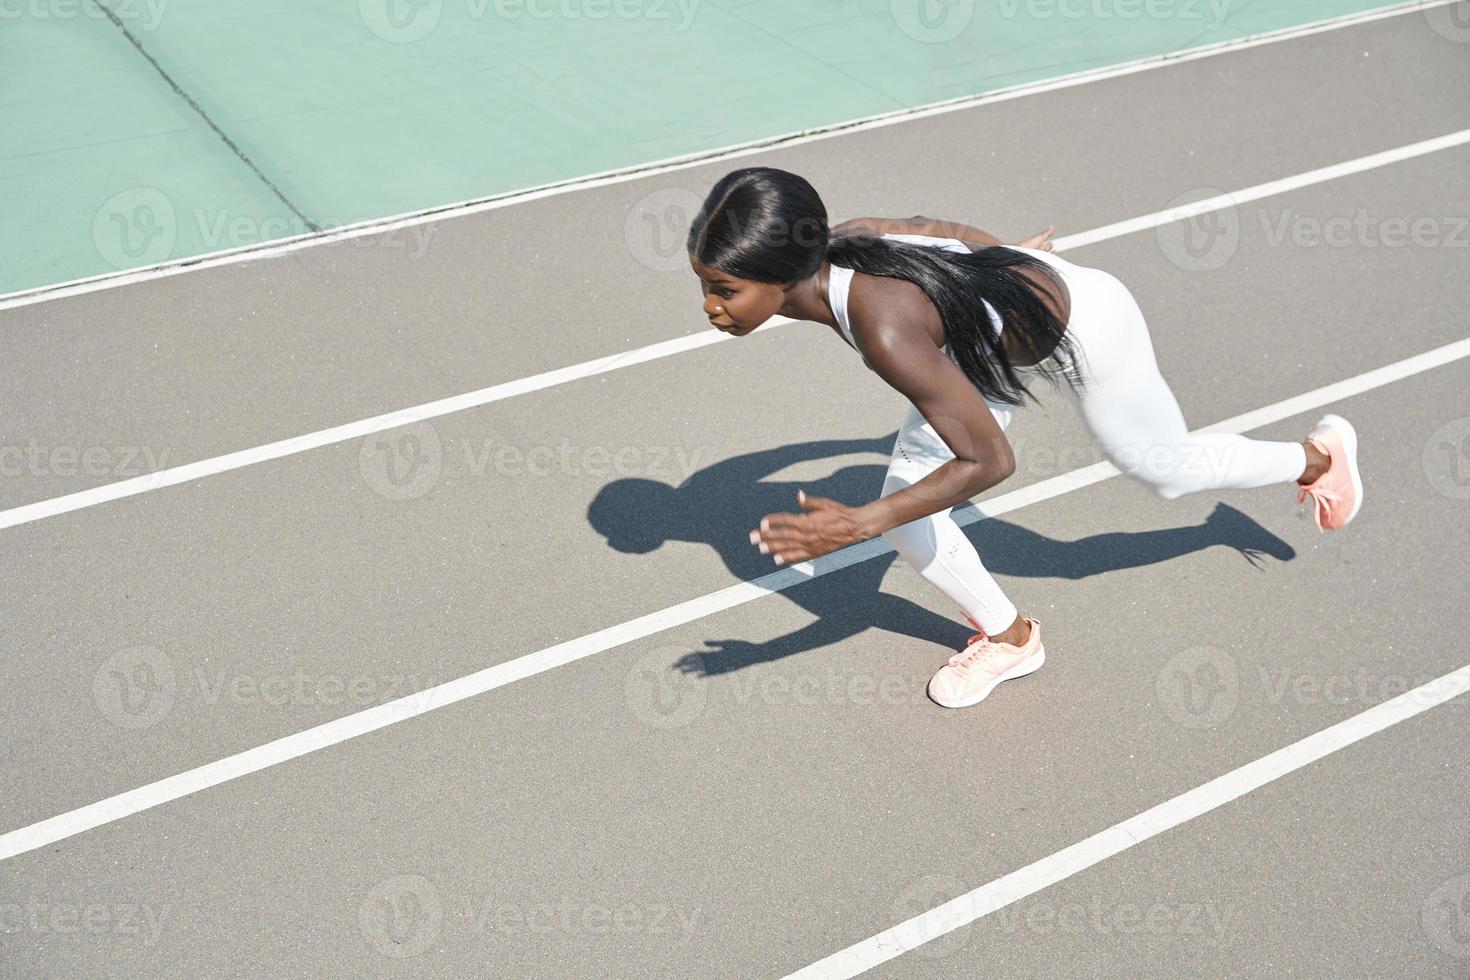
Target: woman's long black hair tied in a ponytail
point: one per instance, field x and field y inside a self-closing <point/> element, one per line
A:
<point x="770" y="226"/>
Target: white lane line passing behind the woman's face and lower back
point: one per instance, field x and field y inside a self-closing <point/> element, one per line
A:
<point x="177" y="475"/>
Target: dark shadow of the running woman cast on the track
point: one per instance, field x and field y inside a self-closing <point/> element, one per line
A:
<point x="720" y="505"/>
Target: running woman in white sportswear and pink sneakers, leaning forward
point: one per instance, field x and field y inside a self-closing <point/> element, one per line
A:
<point x="909" y="296"/>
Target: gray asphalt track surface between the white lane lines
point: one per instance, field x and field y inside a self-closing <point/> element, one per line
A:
<point x="750" y="793"/>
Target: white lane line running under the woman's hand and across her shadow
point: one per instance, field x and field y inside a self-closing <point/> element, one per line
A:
<point x="283" y="750"/>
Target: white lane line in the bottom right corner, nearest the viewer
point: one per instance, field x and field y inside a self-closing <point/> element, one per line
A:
<point x="1121" y="837"/>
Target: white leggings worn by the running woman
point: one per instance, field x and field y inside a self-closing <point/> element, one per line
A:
<point x="1133" y="415"/>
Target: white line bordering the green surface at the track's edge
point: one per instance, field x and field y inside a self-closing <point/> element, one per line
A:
<point x="383" y="226"/>
